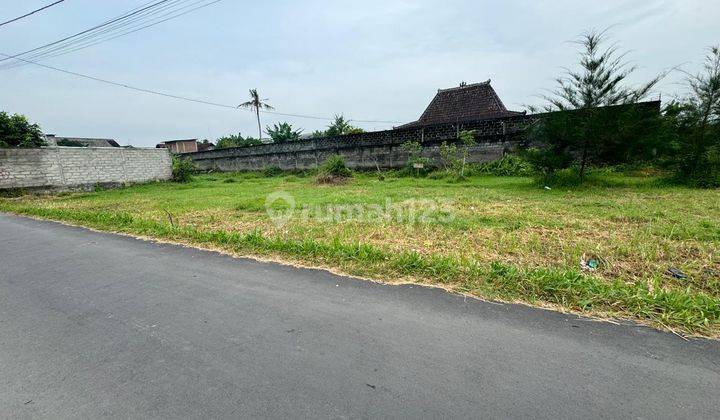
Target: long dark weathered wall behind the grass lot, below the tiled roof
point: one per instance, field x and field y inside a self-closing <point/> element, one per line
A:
<point x="370" y="150"/>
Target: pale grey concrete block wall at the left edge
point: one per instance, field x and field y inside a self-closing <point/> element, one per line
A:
<point x="76" y="167"/>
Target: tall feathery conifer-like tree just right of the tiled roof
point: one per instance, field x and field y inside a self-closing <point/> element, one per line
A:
<point x="583" y="126"/>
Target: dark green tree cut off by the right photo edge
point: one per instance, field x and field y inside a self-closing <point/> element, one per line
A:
<point x="695" y="122"/>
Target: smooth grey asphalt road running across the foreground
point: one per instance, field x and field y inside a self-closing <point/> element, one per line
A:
<point x="97" y="325"/>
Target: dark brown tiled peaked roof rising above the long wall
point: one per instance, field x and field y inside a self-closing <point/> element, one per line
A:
<point x="467" y="102"/>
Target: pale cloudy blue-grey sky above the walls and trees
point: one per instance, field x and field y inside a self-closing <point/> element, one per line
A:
<point x="378" y="60"/>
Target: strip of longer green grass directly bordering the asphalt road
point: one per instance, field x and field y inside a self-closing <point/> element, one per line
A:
<point x="684" y="309"/>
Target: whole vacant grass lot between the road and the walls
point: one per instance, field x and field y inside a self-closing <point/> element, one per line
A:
<point x="494" y="237"/>
